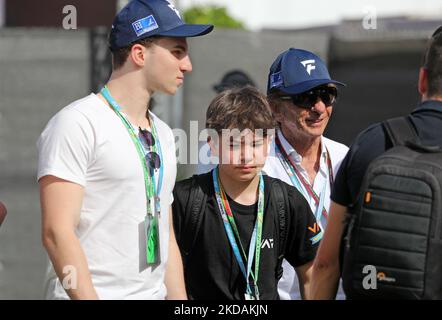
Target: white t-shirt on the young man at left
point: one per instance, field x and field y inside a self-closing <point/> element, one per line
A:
<point x="87" y="143"/>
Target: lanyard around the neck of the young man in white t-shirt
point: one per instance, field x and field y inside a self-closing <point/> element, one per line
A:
<point x="149" y="179"/>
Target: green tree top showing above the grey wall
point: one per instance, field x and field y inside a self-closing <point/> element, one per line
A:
<point x="218" y="16"/>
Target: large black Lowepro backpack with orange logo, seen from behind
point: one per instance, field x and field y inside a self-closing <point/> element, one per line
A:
<point x="394" y="229"/>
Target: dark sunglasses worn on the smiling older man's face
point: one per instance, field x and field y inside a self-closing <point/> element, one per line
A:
<point x="308" y="99"/>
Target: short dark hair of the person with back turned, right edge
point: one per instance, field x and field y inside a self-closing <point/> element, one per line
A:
<point x="433" y="64"/>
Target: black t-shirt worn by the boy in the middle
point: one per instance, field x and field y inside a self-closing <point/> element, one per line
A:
<point x="212" y="272"/>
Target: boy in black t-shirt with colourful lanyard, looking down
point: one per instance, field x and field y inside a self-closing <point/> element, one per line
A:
<point x="233" y="224"/>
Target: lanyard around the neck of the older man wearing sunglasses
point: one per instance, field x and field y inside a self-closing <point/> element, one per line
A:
<point x="297" y="178"/>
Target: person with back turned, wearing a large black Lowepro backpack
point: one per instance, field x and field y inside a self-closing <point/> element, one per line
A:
<point x="390" y="186"/>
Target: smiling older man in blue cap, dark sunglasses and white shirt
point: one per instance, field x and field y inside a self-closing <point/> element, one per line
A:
<point x="301" y="95"/>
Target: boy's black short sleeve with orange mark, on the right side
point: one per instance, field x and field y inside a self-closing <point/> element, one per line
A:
<point x="304" y="236"/>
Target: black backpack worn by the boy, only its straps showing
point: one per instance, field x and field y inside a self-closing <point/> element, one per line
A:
<point x="195" y="209"/>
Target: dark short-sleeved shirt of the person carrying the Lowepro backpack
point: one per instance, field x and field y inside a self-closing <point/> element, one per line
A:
<point x="372" y="142"/>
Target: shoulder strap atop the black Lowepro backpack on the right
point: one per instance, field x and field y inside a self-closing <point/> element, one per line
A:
<point x="400" y="130"/>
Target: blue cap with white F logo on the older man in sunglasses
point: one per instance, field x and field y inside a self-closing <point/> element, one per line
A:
<point x="295" y="71"/>
